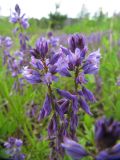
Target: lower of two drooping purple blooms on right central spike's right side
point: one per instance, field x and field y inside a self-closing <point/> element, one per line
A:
<point x="84" y="106"/>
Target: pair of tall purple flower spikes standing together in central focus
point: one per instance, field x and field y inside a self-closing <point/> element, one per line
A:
<point x="46" y="67"/>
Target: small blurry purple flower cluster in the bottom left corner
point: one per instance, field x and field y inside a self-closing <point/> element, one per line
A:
<point x="13" y="147"/>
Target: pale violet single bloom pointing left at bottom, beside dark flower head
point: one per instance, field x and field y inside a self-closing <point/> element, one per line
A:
<point x="74" y="149"/>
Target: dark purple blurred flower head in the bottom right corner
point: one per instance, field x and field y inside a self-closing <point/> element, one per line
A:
<point x="107" y="132"/>
